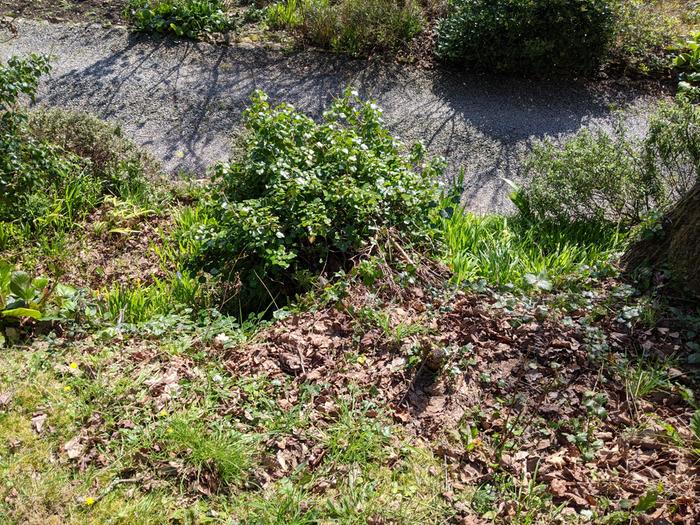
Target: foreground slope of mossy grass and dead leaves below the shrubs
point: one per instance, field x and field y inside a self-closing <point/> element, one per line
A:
<point x="409" y="404"/>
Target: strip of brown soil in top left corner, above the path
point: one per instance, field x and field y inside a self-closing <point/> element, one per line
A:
<point x="93" y="11"/>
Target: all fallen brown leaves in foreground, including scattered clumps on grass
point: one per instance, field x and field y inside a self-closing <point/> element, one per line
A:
<point x="517" y="377"/>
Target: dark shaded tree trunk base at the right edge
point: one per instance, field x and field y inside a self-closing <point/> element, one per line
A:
<point x="677" y="249"/>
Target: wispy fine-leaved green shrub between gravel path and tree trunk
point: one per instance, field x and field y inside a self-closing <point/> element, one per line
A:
<point x="614" y="177"/>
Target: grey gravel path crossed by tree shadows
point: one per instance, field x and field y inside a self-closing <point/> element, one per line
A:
<point x="181" y="100"/>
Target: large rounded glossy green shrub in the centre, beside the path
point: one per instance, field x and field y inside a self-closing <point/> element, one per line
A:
<point x="302" y="197"/>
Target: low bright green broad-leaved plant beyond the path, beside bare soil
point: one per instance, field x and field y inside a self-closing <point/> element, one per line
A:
<point x="188" y="18"/>
